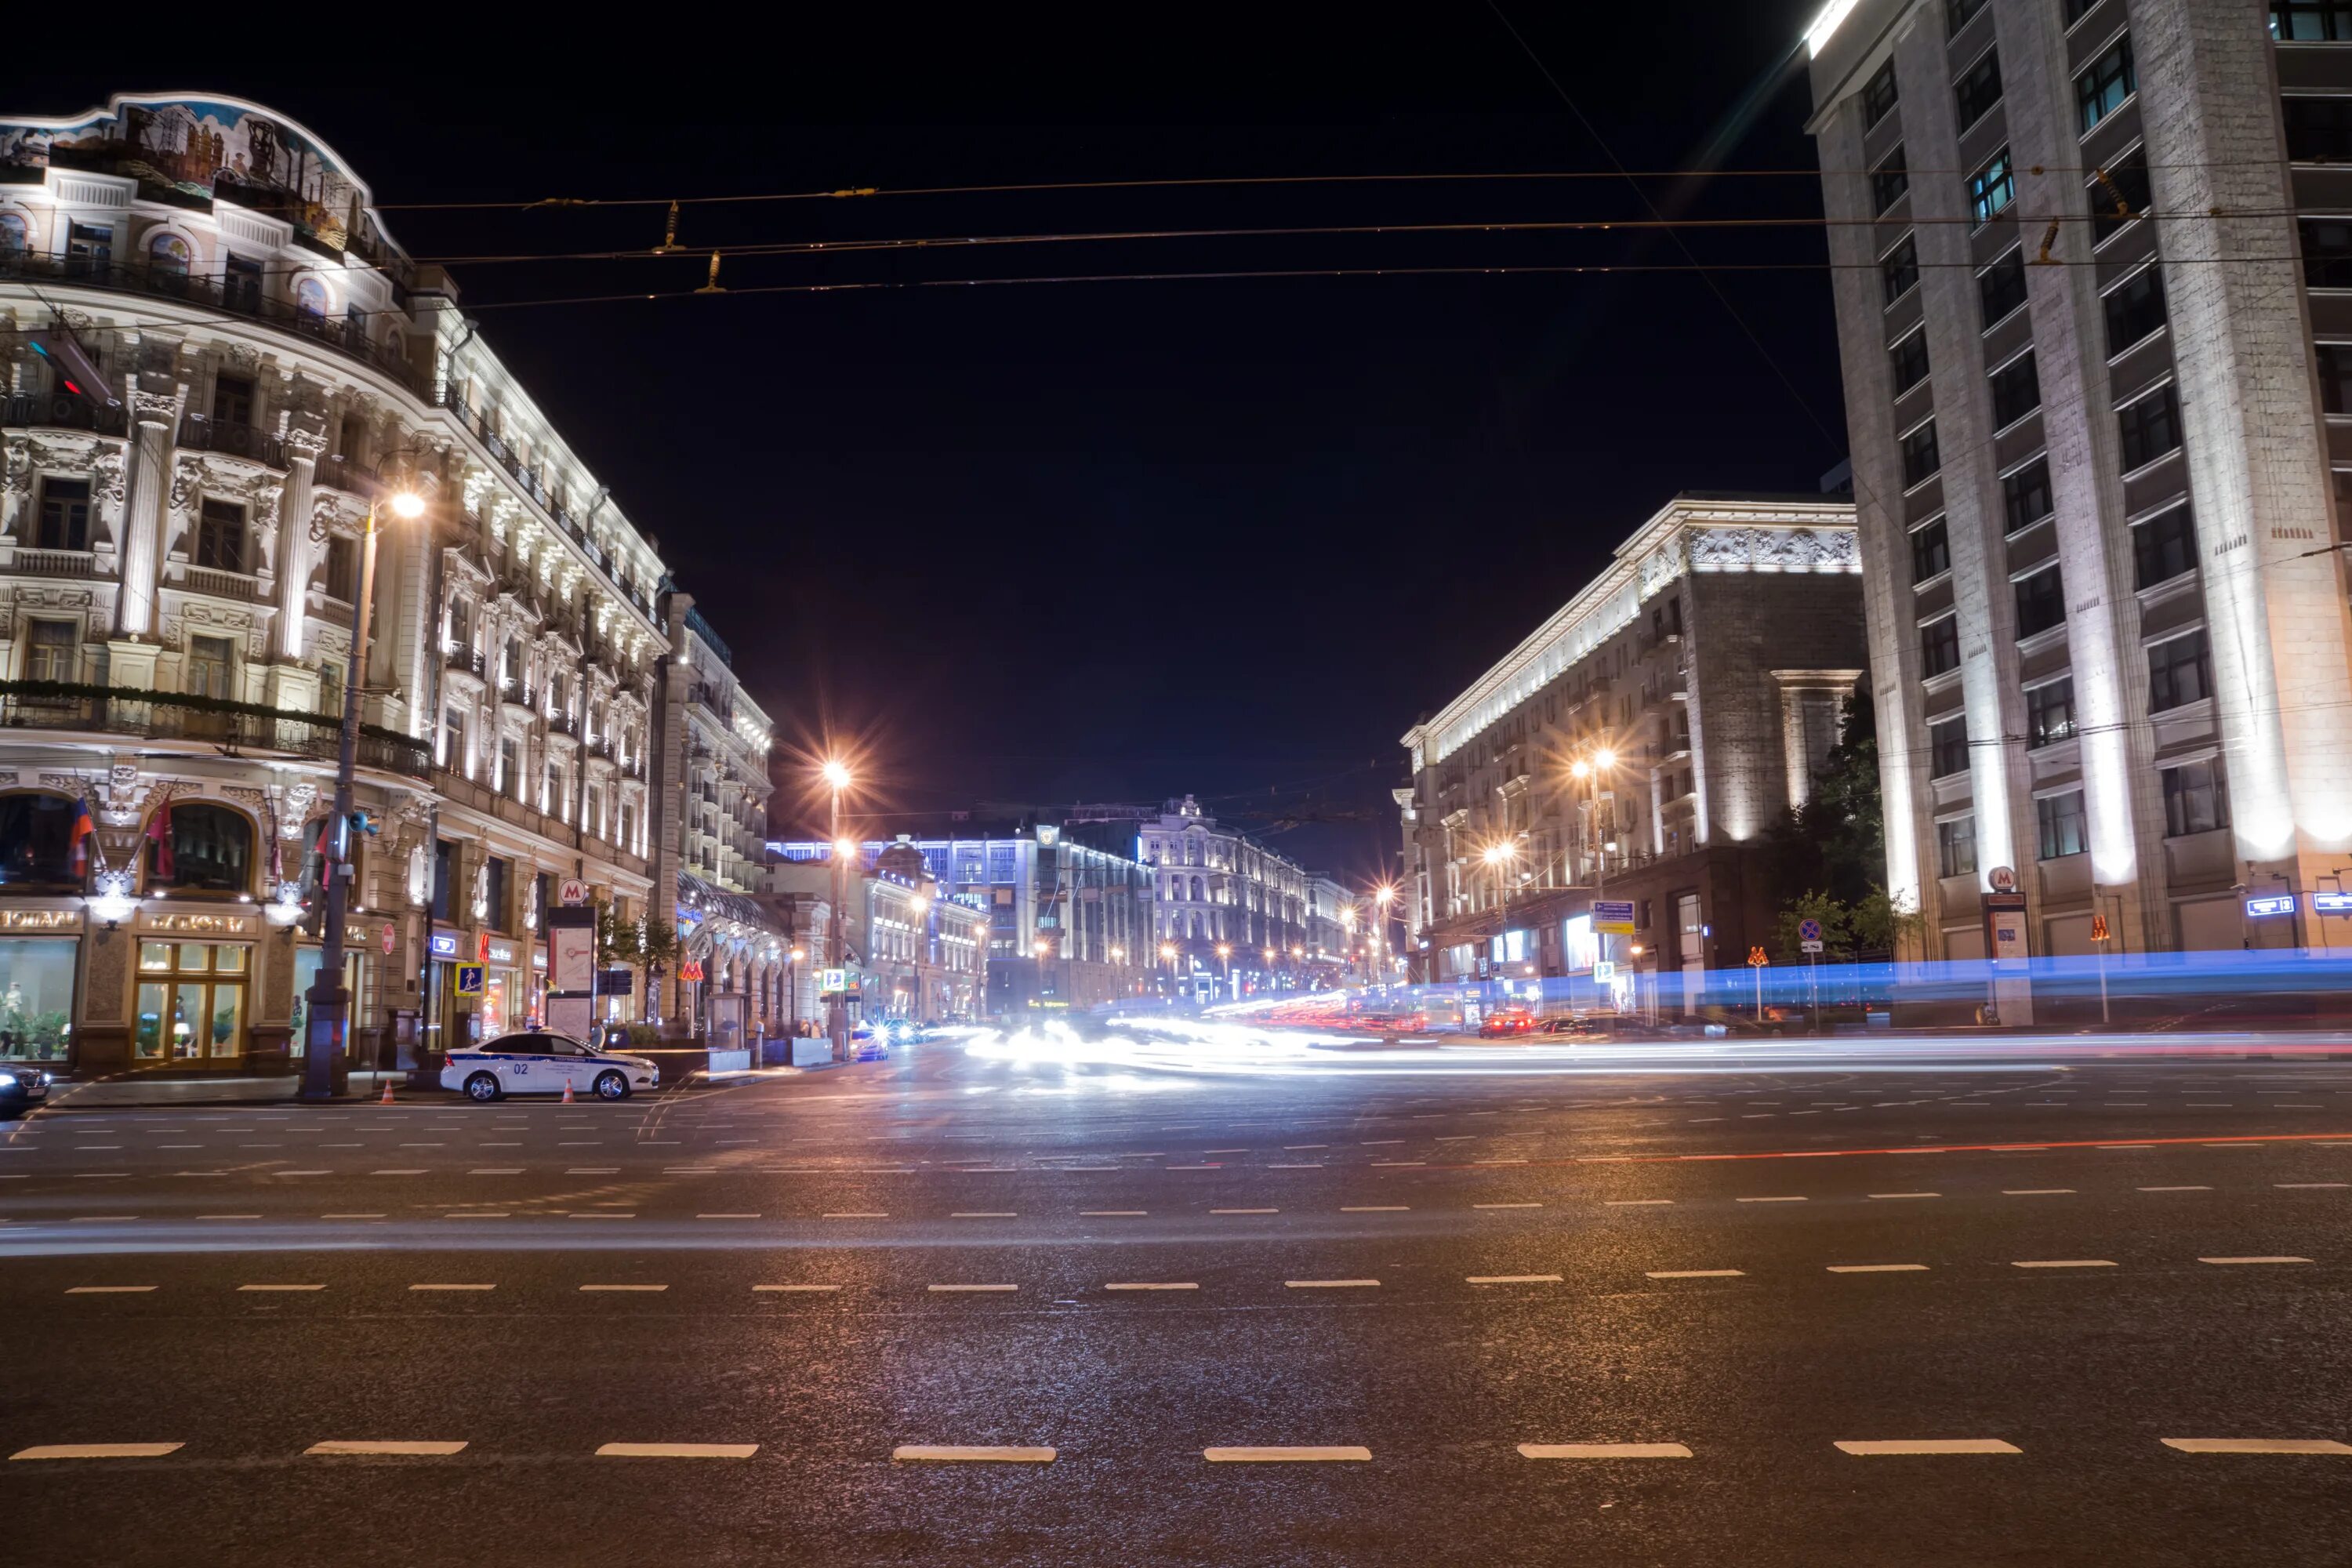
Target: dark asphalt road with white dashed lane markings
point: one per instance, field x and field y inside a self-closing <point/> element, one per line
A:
<point x="1384" y="1313"/>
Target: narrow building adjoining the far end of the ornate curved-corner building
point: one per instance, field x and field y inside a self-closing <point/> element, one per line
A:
<point x="711" y="789"/>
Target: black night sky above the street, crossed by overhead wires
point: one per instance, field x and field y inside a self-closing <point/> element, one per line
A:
<point x="1107" y="540"/>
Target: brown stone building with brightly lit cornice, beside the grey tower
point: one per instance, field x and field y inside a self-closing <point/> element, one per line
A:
<point x="1699" y="681"/>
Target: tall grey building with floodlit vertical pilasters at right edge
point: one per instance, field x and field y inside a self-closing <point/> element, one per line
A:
<point x="2094" y="297"/>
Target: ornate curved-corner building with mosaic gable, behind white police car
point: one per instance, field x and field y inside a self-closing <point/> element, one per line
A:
<point x="180" y="554"/>
